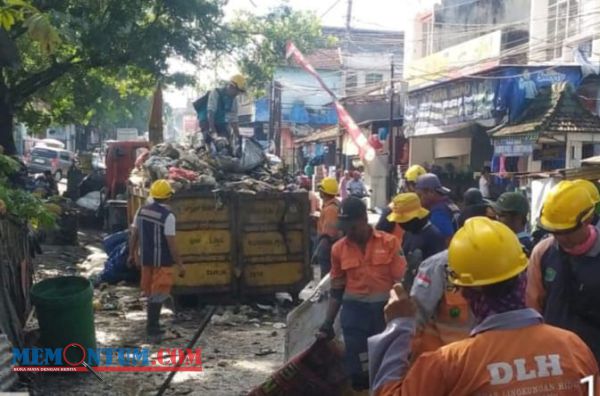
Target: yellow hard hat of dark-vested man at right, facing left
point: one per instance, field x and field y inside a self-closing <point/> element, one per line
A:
<point x="567" y="205"/>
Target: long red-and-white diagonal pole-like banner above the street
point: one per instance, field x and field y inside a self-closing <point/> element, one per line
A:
<point x="366" y="151"/>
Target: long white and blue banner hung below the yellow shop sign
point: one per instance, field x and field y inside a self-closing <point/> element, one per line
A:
<point x="489" y="100"/>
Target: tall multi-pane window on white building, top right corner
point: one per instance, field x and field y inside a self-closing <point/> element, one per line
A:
<point x="563" y="22"/>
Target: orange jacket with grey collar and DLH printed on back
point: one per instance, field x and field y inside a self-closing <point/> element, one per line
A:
<point x="509" y="354"/>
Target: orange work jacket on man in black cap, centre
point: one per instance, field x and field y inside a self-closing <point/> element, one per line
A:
<point x="371" y="273"/>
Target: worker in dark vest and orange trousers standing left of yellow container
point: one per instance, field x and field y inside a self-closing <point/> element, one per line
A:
<point x="152" y="247"/>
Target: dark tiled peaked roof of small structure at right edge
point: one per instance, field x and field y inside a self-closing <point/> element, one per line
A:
<point x="556" y="111"/>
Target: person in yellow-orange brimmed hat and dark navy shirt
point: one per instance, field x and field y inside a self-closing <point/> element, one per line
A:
<point x="421" y="239"/>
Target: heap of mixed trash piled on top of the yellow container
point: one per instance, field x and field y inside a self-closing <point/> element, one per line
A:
<point x="188" y="168"/>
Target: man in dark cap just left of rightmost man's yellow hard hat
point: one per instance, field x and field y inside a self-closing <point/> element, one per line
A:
<point x="512" y="209"/>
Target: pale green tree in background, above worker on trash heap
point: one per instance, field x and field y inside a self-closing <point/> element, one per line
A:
<point x="263" y="39"/>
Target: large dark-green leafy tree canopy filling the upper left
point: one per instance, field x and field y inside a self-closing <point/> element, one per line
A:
<point x="104" y="47"/>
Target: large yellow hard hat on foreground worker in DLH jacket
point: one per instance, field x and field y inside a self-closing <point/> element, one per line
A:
<point x="484" y="252"/>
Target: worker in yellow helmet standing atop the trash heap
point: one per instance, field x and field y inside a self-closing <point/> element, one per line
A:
<point x="218" y="112"/>
